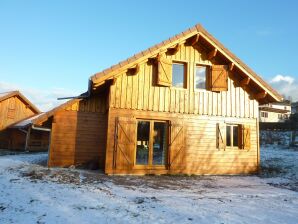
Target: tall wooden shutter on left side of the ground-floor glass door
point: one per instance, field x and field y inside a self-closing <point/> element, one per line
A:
<point x="124" y="143"/>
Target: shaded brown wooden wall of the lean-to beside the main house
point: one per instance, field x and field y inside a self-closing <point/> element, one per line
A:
<point x="79" y="133"/>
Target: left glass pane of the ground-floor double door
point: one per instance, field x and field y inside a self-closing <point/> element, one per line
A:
<point x="142" y="154"/>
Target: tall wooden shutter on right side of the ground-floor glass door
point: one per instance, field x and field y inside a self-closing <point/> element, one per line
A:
<point x="177" y="145"/>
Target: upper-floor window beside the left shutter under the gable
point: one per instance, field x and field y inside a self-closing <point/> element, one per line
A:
<point x="179" y="75"/>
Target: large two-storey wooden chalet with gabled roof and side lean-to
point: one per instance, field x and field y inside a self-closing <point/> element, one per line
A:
<point x="186" y="105"/>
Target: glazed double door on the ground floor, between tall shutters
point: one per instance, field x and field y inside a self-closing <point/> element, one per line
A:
<point x="152" y="143"/>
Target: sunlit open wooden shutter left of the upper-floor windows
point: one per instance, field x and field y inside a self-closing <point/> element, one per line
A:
<point x="164" y="77"/>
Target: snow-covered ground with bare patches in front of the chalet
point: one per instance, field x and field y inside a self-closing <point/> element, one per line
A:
<point x="32" y="193"/>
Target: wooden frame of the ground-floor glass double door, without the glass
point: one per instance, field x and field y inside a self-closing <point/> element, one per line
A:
<point x="150" y="164"/>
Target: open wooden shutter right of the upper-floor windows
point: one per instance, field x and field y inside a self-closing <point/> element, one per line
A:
<point x="218" y="79"/>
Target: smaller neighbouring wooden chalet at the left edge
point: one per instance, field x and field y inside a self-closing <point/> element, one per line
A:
<point x="16" y="132"/>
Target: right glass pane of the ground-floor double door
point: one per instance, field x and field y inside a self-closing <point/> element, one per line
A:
<point x="160" y="143"/>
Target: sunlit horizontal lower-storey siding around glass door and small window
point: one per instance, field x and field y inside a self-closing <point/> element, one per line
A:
<point x="200" y="155"/>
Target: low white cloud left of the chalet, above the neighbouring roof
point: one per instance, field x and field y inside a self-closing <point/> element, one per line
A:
<point x="44" y="99"/>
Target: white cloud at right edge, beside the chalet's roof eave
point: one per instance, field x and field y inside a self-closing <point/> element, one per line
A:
<point x="286" y="85"/>
